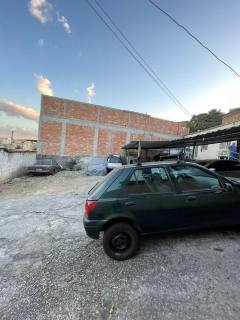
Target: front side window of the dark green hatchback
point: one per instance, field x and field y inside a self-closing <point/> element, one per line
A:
<point x="191" y="178"/>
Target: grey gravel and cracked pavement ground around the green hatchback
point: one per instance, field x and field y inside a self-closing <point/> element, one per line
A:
<point x="49" y="268"/>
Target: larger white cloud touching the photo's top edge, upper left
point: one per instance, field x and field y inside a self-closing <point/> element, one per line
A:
<point x="40" y="9"/>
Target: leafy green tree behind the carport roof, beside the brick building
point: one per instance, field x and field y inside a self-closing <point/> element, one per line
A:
<point x="205" y="120"/>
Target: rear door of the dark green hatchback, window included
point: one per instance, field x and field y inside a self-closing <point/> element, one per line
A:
<point x="152" y="199"/>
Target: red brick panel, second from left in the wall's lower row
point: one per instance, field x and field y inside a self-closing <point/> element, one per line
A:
<point x="79" y="140"/>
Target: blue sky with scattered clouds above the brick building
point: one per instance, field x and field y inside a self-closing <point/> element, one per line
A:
<point x="62" y="48"/>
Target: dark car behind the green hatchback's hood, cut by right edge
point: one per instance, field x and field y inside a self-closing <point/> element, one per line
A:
<point x="227" y="168"/>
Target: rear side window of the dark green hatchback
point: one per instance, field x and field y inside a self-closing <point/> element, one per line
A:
<point x="149" y="180"/>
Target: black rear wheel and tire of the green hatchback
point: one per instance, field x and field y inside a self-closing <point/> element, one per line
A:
<point x="120" y="241"/>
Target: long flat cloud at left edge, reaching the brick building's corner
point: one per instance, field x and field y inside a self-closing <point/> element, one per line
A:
<point x="17" y="110"/>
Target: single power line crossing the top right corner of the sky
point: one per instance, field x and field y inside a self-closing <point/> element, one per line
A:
<point x="195" y="38"/>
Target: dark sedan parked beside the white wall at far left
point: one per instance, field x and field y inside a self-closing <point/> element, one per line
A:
<point x="44" y="166"/>
